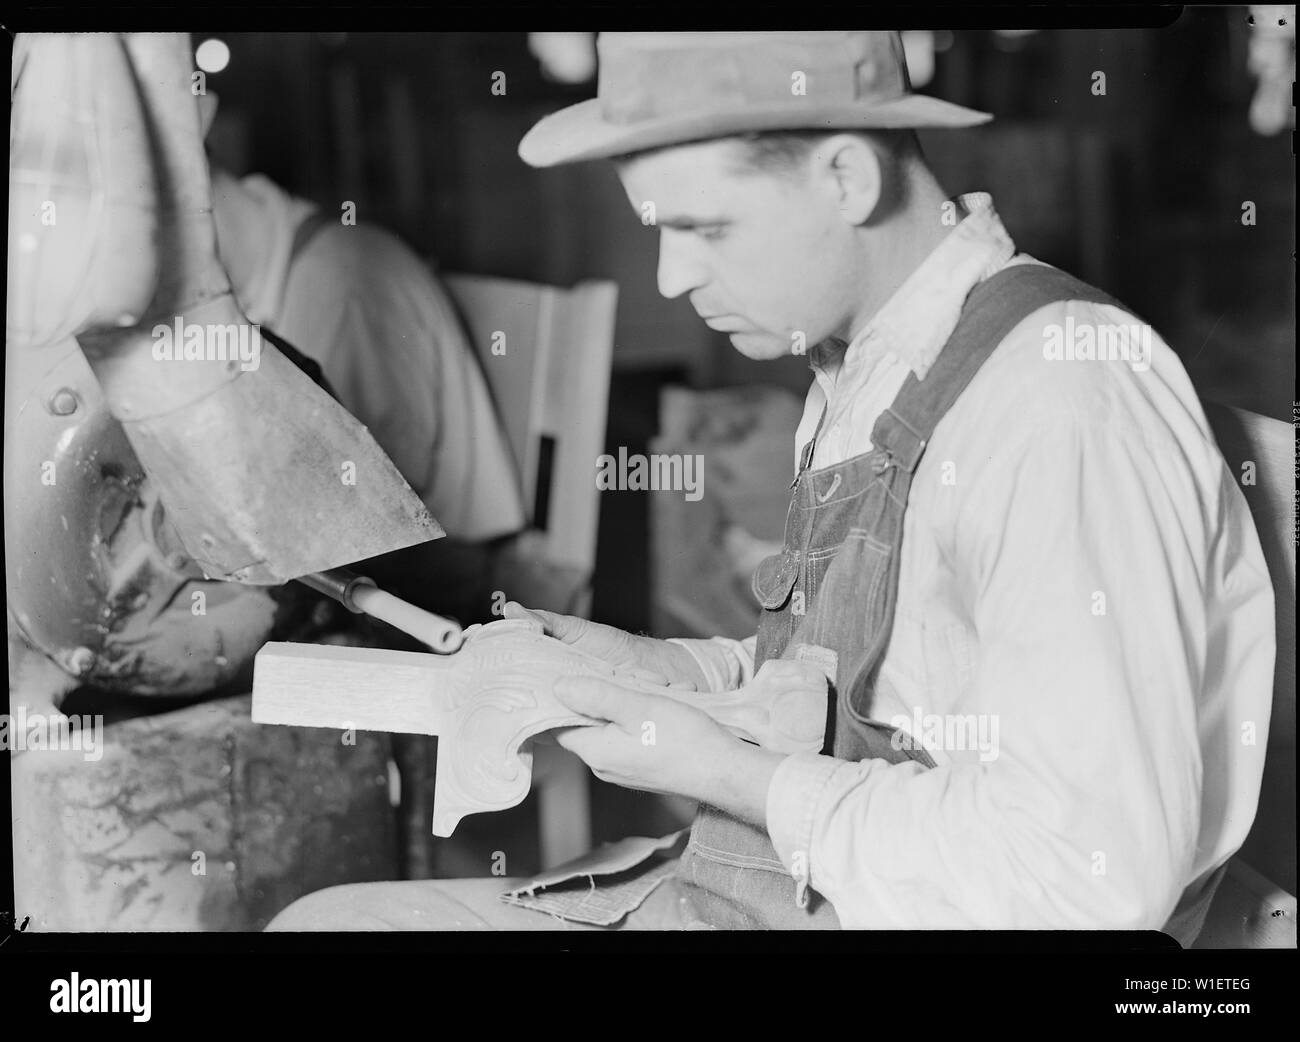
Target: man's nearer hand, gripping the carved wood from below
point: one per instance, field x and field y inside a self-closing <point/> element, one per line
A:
<point x="658" y="745"/>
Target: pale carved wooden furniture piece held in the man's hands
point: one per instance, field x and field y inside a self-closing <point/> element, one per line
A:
<point x="491" y="698"/>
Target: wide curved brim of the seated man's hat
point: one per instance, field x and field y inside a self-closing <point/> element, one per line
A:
<point x="582" y="133"/>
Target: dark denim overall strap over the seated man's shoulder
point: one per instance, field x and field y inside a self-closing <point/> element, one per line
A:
<point x="993" y="310"/>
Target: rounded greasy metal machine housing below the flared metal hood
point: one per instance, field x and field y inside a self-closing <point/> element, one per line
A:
<point x="96" y="575"/>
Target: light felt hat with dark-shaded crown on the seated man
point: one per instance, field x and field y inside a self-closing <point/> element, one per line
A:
<point x="658" y="89"/>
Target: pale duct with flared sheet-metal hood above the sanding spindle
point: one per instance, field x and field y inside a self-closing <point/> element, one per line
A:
<point x="265" y="477"/>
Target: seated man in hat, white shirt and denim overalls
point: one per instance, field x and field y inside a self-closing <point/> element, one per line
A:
<point x="1013" y="546"/>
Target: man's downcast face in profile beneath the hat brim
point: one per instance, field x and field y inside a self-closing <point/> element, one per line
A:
<point x="764" y="258"/>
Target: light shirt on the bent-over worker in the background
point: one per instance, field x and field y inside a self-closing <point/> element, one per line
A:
<point x="358" y="302"/>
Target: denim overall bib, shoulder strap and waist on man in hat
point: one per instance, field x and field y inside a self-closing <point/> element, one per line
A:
<point x="830" y="596"/>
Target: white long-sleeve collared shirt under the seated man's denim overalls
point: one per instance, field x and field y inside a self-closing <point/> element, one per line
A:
<point x="1084" y="637"/>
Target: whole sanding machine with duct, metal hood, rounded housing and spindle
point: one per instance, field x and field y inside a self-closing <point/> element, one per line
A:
<point x="135" y="485"/>
